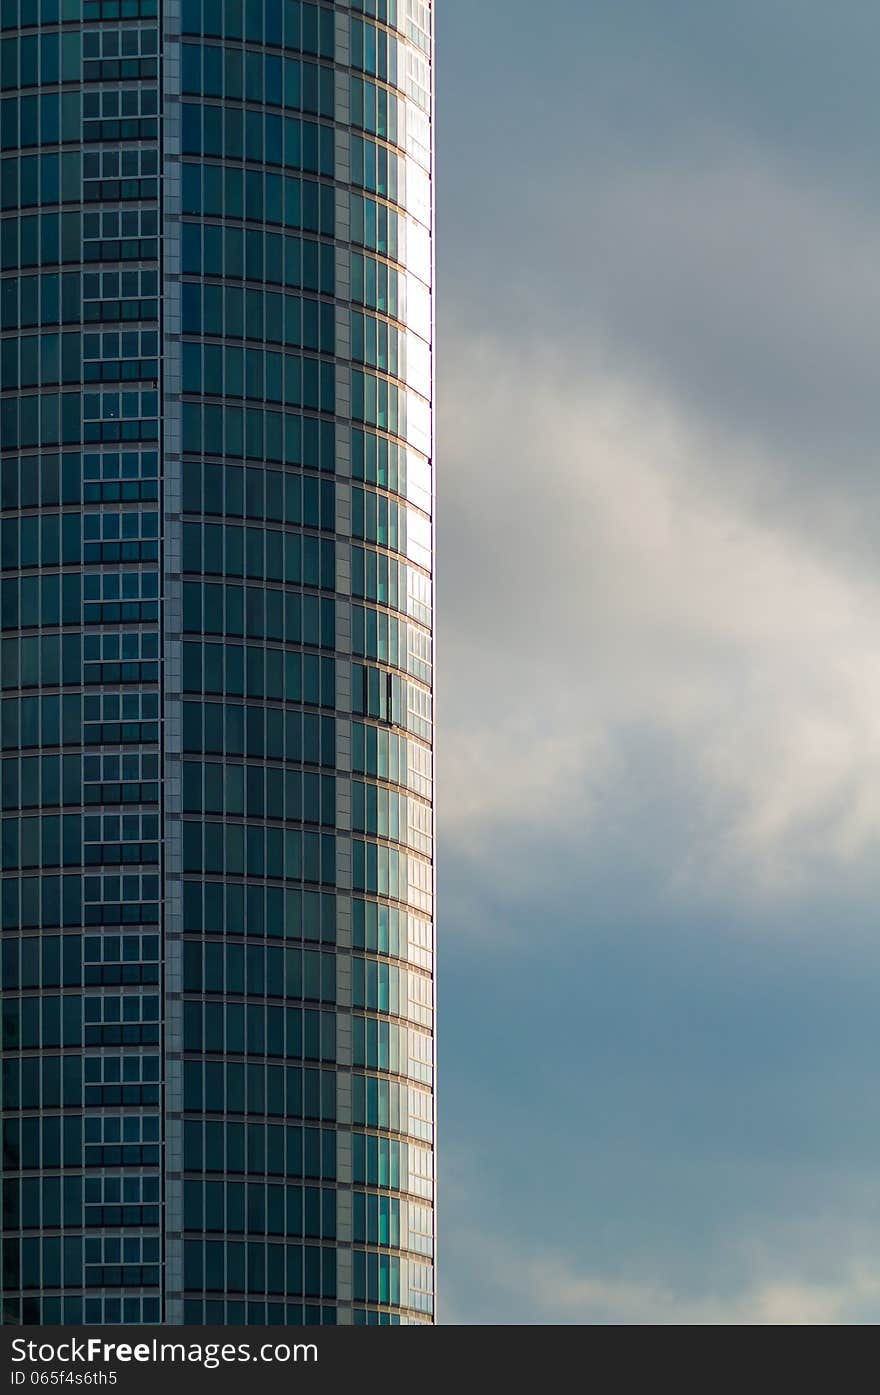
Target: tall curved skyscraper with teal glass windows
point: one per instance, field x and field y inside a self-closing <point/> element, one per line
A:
<point x="217" y="661"/>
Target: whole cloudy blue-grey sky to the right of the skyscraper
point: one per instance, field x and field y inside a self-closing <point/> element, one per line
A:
<point x="659" y="662"/>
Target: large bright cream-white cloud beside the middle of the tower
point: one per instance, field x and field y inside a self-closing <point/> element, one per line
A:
<point x="609" y="584"/>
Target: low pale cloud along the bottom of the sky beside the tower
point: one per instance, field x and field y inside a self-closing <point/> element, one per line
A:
<point x="811" y="1263"/>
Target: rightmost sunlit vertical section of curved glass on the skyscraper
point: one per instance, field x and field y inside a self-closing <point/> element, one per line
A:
<point x="386" y="232"/>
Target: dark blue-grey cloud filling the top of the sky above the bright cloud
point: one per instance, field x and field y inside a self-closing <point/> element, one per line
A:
<point x="649" y="188"/>
